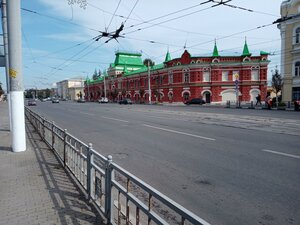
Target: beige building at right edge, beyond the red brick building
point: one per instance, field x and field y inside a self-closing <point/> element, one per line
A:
<point x="290" y="49"/>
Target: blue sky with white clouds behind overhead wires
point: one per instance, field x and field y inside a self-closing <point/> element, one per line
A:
<point x="58" y="36"/>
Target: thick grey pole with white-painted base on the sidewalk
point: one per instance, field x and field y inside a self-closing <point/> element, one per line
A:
<point x="16" y="75"/>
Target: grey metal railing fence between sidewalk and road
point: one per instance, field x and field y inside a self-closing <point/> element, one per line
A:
<point x="119" y="195"/>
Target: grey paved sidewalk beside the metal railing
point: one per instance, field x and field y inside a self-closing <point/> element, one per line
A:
<point x="34" y="187"/>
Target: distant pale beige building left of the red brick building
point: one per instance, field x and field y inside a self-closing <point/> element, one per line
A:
<point x="70" y="88"/>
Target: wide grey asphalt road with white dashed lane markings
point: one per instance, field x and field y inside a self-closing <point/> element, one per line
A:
<point x="229" y="166"/>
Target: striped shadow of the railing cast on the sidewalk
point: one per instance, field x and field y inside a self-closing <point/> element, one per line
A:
<point x="68" y="201"/>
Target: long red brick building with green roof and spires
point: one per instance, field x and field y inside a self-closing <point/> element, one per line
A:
<point x="214" y="78"/>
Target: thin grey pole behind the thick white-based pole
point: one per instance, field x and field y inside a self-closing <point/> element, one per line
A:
<point x="5" y="41"/>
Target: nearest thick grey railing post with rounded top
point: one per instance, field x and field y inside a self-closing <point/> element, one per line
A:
<point x="108" y="197"/>
